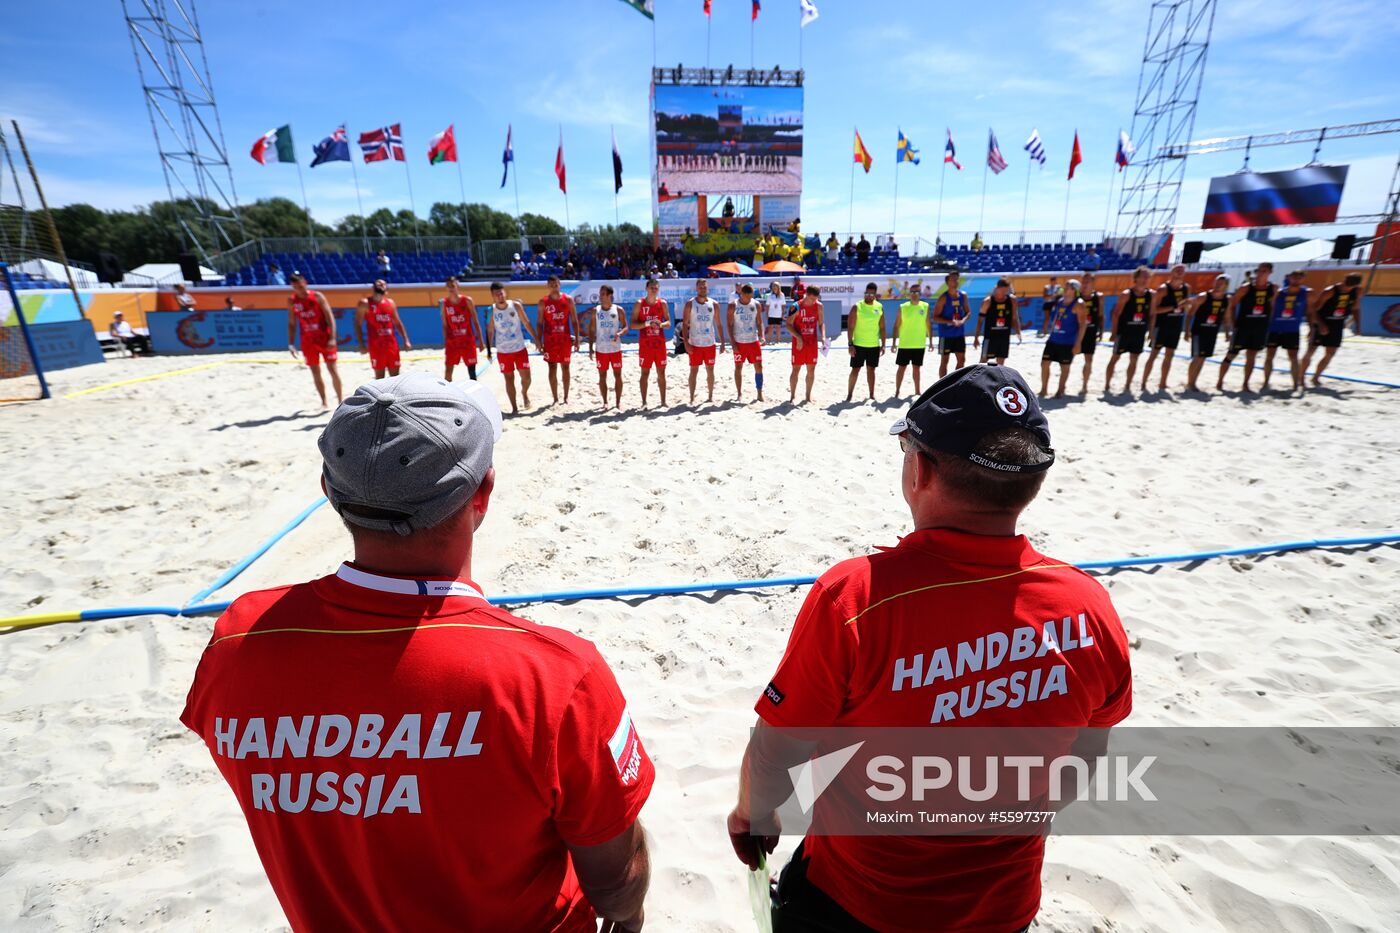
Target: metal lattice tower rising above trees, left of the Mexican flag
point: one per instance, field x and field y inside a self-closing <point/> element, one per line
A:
<point x="180" y="99"/>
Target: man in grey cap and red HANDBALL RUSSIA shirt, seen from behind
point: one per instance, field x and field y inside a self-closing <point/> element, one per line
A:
<point x="407" y="756"/>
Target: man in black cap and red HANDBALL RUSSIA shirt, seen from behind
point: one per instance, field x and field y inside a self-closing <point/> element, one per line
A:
<point x="976" y="448"/>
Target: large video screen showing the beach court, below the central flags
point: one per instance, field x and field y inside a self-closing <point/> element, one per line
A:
<point x="729" y="141"/>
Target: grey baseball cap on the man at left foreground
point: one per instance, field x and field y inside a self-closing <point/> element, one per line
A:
<point x="412" y="446"/>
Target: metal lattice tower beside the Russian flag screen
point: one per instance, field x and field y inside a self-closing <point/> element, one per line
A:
<point x="1170" y="86"/>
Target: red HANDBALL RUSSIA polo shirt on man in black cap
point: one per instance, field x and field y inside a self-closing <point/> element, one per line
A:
<point x="877" y="645"/>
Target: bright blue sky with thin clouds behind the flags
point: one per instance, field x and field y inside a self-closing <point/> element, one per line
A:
<point x="584" y="65"/>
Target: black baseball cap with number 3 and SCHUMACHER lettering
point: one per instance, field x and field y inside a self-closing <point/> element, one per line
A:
<point x="964" y="407"/>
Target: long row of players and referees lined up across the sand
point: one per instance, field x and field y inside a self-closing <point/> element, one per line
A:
<point x="1258" y="316"/>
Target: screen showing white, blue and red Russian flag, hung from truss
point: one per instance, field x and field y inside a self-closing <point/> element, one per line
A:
<point x="1268" y="200"/>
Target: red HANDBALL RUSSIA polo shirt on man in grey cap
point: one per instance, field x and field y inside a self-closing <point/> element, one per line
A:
<point x="409" y="757"/>
